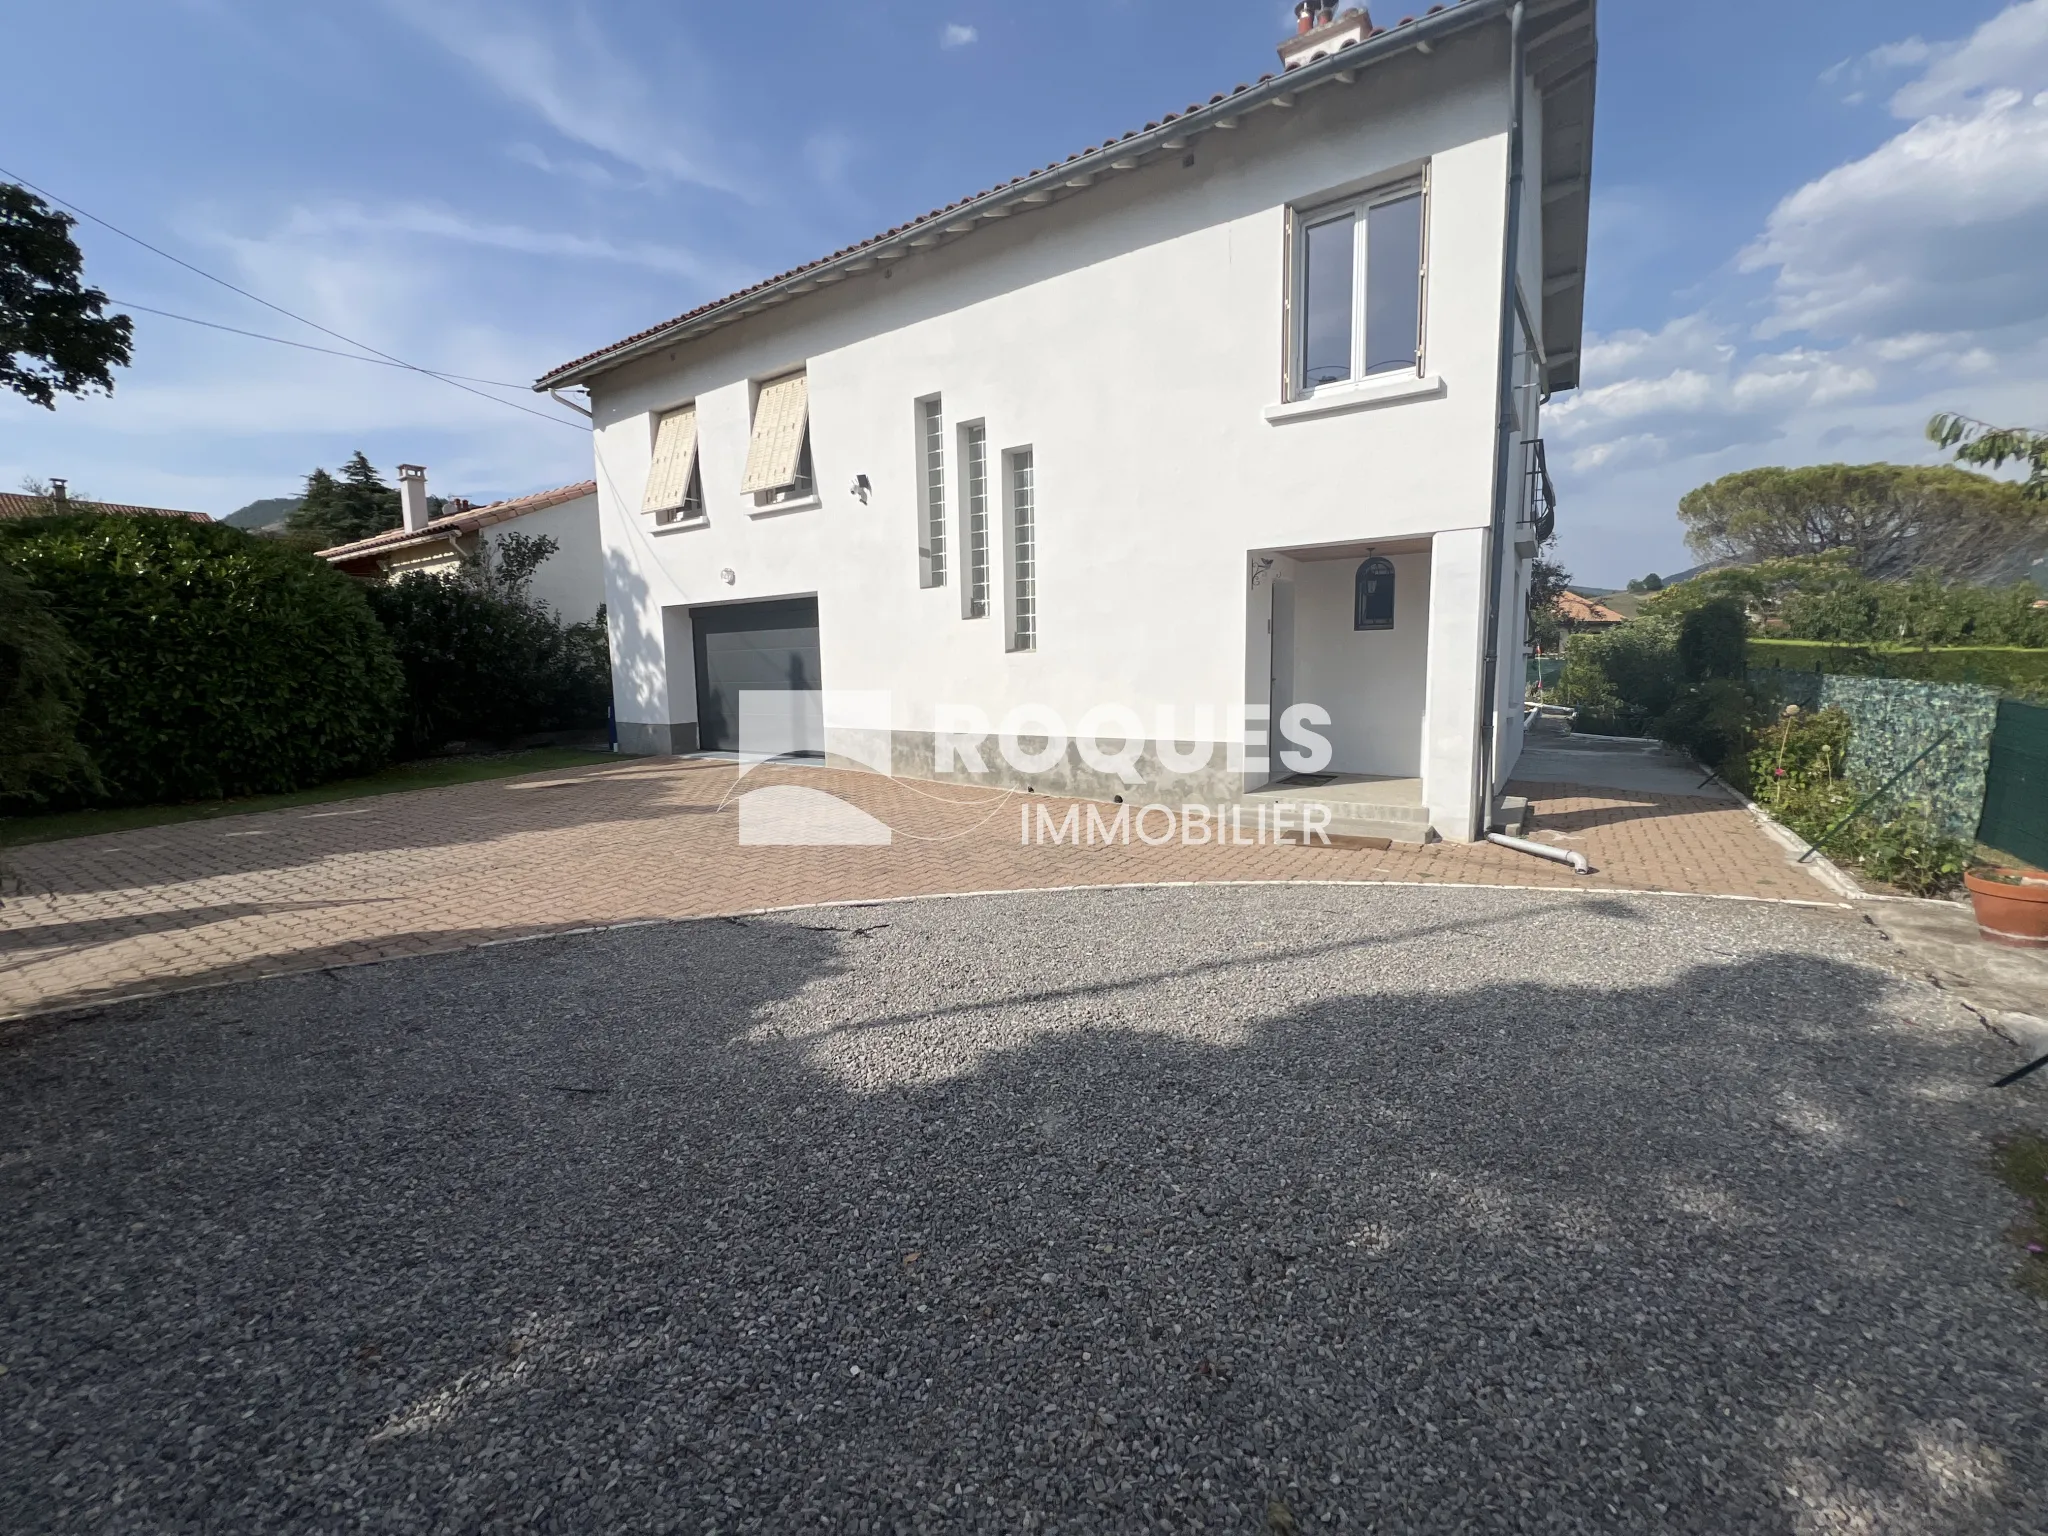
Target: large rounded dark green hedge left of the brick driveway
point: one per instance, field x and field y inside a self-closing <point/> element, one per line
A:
<point x="214" y="663"/>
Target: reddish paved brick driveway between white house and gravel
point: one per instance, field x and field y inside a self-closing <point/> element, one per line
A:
<point x="142" y="912"/>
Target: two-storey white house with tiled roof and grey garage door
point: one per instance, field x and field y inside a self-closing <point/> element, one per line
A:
<point x="1232" y="415"/>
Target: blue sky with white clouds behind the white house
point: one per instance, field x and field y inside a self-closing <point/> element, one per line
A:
<point x="1814" y="222"/>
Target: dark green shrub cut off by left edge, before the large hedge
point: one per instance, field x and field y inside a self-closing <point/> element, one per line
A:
<point x="38" y="697"/>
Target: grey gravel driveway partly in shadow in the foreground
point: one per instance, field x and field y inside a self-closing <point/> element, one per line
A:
<point x="1195" y="1209"/>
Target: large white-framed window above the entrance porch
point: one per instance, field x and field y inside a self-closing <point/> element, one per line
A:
<point x="1359" y="290"/>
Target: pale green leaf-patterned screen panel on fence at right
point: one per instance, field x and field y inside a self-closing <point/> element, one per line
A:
<point x="1895" y="722"/>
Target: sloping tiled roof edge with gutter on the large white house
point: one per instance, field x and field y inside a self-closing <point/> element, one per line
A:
<point x="1383" y="42"/>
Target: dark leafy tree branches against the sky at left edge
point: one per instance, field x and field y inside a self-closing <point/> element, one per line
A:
<point x="54" y="337"/>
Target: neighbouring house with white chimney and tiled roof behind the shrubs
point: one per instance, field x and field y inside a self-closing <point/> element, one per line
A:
<point x="570" y="583"/>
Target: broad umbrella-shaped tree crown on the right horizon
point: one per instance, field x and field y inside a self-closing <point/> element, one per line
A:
<point x="1893" y="521"/>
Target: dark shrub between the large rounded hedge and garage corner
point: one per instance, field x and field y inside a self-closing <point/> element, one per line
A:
<point x="486" y="667"/>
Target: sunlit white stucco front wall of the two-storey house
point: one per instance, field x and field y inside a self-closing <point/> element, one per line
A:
<point x="1136" y="339"/>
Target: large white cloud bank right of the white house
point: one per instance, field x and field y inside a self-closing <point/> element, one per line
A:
<point x="1895" y="286"/>
